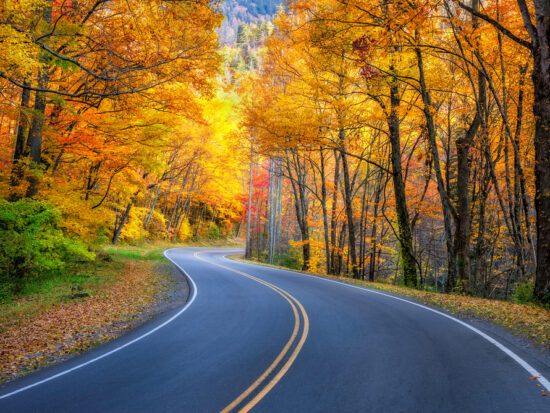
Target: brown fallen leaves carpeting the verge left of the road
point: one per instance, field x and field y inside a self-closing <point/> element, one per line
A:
<point x="72" y="326"/>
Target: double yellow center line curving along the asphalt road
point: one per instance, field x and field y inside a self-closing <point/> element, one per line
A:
<point x="275" y="369"/>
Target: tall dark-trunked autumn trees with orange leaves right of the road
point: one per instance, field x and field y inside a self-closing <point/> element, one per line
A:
<point x="411" y="139"/>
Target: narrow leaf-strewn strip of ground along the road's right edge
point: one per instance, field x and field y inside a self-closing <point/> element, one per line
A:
<point x="527" y="321"/>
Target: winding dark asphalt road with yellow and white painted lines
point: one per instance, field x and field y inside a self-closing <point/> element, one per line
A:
<point x="267" y="340"/>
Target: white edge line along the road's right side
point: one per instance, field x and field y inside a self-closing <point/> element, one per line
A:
<point x="526" y="366"/>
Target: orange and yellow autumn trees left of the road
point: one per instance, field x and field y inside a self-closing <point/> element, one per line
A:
<point x="113" y="111"/>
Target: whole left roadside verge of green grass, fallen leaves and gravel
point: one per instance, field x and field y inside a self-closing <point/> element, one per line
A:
<point x="65" y="315"/>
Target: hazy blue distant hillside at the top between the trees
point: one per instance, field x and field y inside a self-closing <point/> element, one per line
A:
<point x="238" y="12"/>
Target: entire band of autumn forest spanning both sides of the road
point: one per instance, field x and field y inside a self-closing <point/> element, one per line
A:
<point x="400" y="141"/>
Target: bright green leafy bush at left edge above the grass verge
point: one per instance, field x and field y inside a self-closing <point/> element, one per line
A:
<point x="31" y="243"/>
